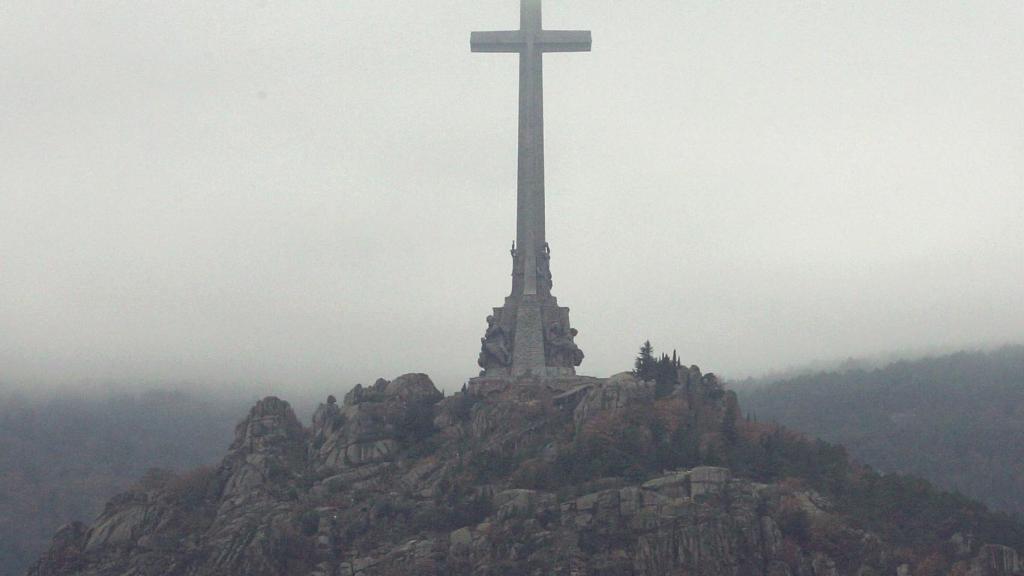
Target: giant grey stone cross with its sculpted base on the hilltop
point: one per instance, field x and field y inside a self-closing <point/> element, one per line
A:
<point x="531" y="335"/>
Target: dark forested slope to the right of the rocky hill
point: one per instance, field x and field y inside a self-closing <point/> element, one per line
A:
<point x="957" y="421"/>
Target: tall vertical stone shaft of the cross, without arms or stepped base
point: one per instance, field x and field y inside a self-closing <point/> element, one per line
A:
<point x="530" y="213"/>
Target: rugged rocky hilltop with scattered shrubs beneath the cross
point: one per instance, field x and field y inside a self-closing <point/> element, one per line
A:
<point x="587" y="477"/>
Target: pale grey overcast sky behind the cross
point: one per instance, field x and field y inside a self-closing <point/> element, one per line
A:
<point x="320" y="193"/>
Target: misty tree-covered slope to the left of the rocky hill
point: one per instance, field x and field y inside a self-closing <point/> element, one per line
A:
<point x="61" y="459"/>
